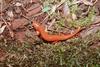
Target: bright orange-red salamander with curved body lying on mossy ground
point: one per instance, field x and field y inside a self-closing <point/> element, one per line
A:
<point x="52" y="38"/>
